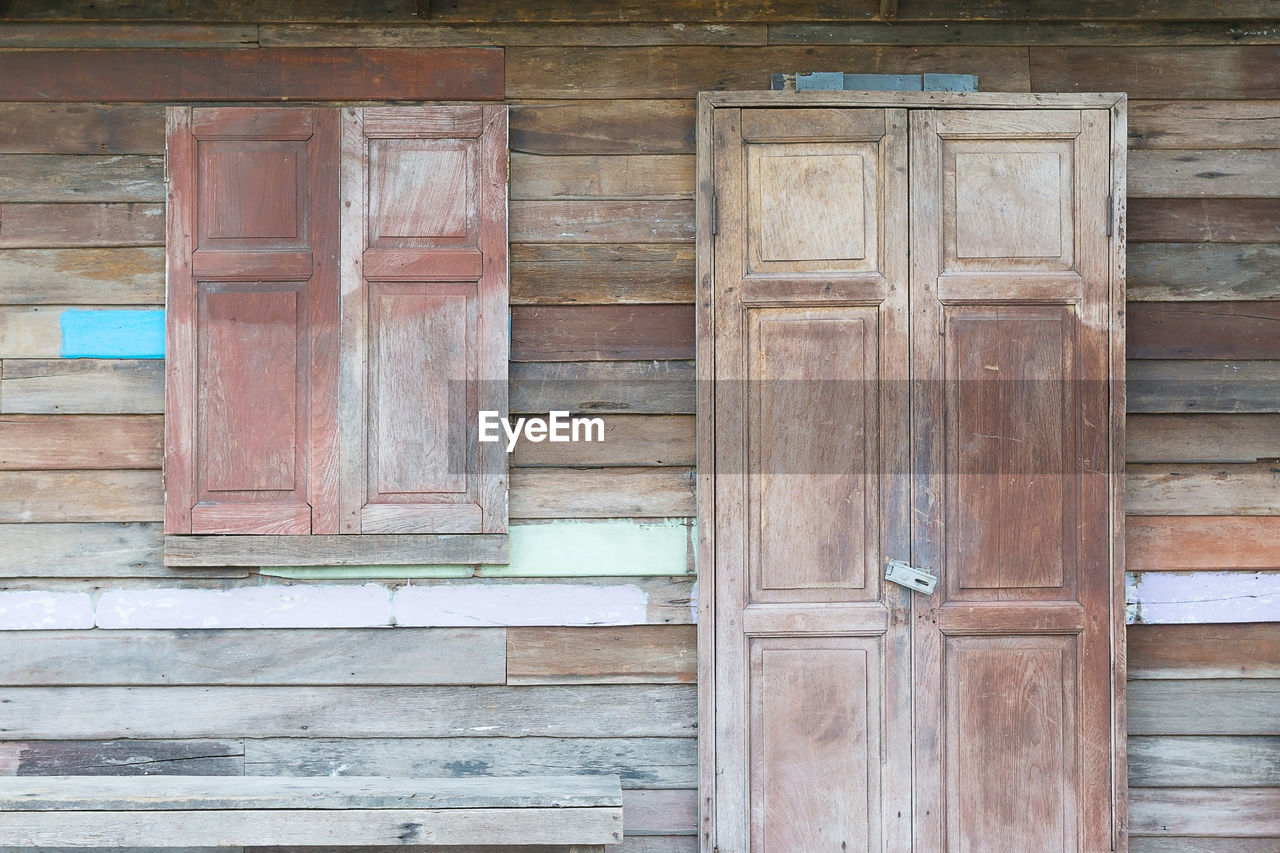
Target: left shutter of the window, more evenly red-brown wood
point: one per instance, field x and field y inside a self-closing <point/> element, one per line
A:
<point x="253" y="313"/>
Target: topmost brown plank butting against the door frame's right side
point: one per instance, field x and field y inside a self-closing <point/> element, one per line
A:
<point x="1204" y="125"/>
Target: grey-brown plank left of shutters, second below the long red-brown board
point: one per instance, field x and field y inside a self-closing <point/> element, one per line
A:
<point x="58" y="177"/>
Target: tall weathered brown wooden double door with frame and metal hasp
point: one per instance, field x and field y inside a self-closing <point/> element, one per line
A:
<point x="912" y="321"/>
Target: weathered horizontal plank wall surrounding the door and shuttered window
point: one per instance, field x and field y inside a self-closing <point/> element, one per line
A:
<point x="602" y="284"/>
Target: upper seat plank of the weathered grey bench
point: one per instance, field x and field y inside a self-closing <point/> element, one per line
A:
<point x="189" y="793"/>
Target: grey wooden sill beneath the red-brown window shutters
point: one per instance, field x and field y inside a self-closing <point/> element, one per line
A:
<point x="336" y="550"/>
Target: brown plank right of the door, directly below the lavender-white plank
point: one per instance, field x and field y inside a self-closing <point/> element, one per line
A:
<point x="1242" y="651"/>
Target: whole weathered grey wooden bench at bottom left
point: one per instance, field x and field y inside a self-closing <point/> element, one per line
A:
<point x="579" y="814"/>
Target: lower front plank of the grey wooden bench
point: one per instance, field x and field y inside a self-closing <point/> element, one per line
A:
<point x="335" y="827"/>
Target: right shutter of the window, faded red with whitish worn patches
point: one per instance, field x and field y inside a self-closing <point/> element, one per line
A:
<point x="424" y="318"/>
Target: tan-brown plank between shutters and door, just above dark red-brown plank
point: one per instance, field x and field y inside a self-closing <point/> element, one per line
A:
<point x="601" y="275"/>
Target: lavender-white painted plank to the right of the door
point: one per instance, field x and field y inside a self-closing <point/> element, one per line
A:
<point x="1203" y="597"/>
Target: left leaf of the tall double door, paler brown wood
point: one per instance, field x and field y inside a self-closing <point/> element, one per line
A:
<point x="813" y="665"/>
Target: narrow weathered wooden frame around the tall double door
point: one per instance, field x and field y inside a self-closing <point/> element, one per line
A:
<point x="1117" y="103"/>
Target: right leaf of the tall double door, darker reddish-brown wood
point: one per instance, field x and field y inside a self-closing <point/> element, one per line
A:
<point x="1009" y="352"/>
